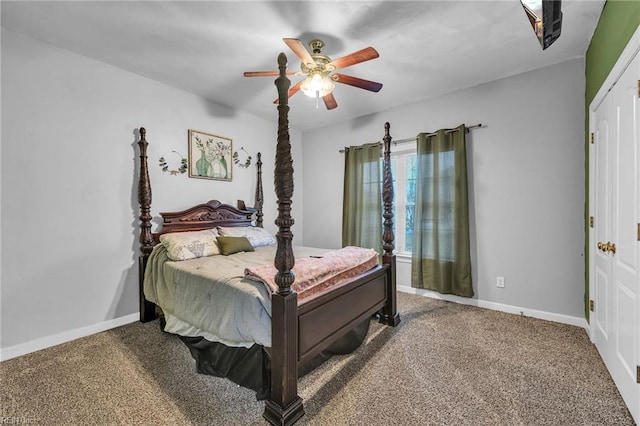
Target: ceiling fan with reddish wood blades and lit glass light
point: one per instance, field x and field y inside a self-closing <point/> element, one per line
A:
<point x="318" y="69"/>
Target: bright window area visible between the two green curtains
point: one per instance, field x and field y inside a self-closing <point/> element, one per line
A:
<point x="403" y="169"/>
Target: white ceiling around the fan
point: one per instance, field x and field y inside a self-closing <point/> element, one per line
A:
<point x="426" y="48"/>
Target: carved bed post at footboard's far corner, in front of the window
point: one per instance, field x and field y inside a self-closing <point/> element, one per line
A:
<point x="389" y="314"/>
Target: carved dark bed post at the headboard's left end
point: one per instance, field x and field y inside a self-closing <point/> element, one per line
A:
<point x="147" y="309"/>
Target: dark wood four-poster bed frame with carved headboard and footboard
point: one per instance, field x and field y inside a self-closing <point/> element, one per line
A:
<point x="299" y="331"/>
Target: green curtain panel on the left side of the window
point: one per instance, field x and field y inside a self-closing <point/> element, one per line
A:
<point x="362" y="199"/>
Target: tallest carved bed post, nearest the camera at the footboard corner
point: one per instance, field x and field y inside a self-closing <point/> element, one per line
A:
<point x="284" y="406"/>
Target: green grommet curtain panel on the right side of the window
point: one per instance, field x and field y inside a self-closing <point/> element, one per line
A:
<point x="441" y="259"/>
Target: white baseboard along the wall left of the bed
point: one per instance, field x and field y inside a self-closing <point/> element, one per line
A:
<point x="67" y="336"/>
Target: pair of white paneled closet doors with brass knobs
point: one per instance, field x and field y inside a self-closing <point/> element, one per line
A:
<point x="617" y="233"/>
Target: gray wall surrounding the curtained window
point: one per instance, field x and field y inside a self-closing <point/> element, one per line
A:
<point x="526" y="179"/>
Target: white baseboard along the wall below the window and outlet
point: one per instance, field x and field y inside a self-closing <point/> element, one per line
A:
<point x="549" y="316"/>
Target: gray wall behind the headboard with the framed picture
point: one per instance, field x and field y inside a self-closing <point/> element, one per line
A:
<point x="69" y="184"/>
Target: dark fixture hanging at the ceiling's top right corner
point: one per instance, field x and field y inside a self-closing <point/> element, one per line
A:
<point x="545" y="17"/>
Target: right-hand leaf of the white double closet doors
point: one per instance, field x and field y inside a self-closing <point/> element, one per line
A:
<point x="624" y="231"/>
